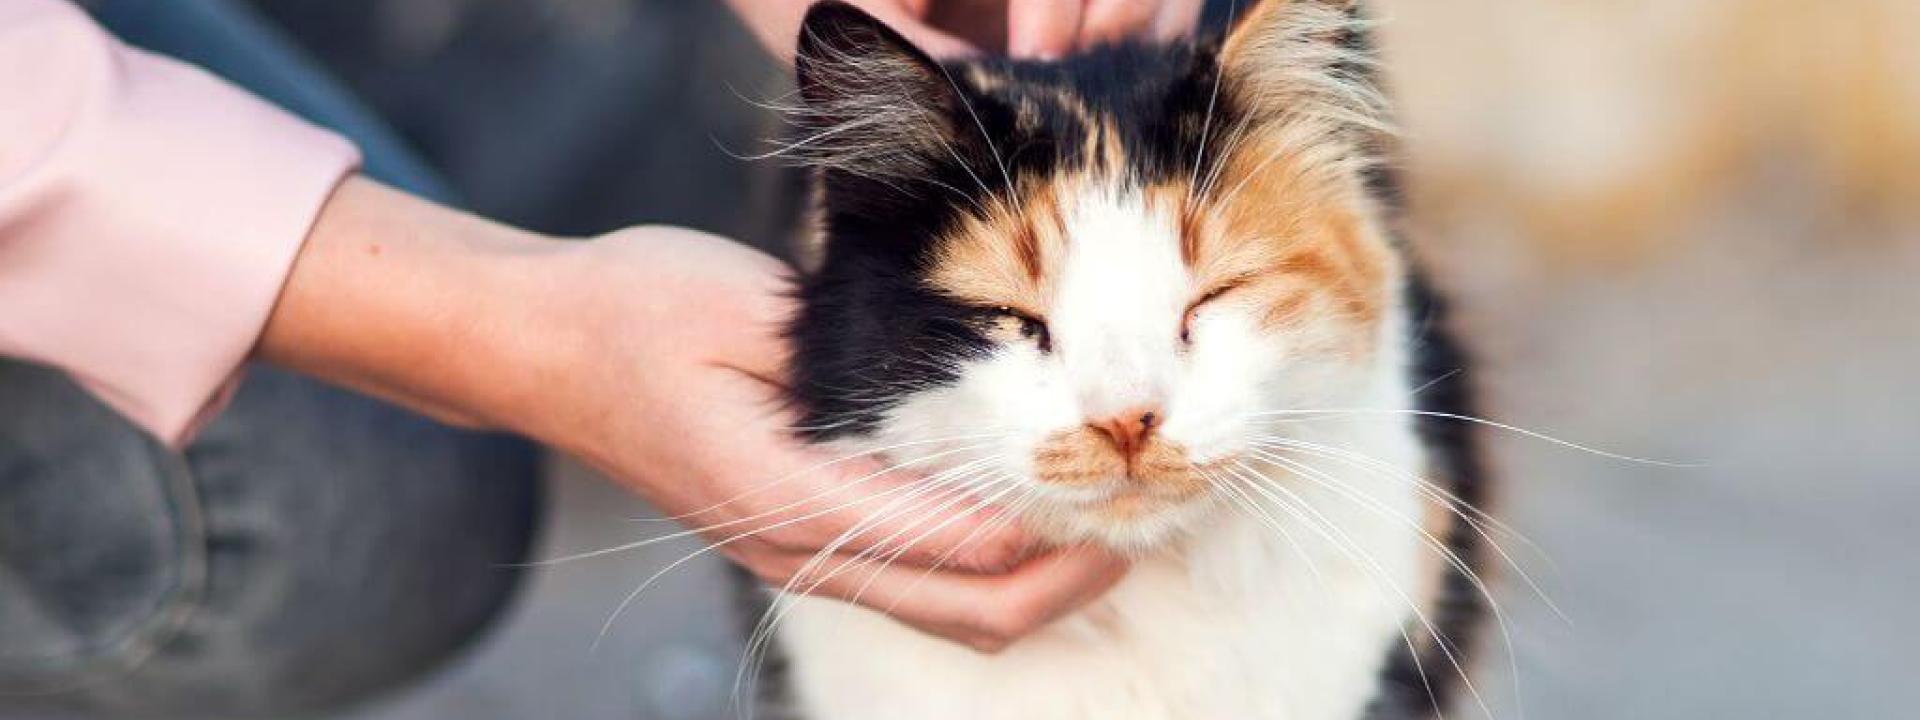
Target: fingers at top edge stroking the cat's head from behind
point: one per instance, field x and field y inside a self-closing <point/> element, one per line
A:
<point x="1044" y="30"/>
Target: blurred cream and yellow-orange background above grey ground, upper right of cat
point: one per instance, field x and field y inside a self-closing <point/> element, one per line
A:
<point x="1602" y="132"/>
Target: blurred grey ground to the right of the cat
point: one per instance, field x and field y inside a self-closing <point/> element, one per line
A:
<point x="1771" y="583"/>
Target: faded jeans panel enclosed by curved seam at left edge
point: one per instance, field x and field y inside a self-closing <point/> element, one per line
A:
<point x="97" y="525"/>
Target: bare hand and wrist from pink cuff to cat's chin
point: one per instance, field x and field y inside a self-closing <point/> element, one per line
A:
<point x="654" y="354"/>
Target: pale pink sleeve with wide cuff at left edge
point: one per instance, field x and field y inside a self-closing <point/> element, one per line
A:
<point x="149" y="216"/>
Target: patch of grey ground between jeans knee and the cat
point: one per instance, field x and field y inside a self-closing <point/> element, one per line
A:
<point x="671" y="656"/>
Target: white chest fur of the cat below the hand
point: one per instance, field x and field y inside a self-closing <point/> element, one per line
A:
<point x="1241" y="627"/>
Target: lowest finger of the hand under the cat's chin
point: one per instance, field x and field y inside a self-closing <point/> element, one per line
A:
<point x="984" y="613"/>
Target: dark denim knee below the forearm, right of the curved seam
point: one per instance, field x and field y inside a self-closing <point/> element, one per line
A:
<point x="347" y="550"/>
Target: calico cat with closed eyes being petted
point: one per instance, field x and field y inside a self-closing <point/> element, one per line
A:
<point x="1151" y="299"/>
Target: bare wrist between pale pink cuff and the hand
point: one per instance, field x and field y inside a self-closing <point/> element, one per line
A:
<point x="421" y="306"/>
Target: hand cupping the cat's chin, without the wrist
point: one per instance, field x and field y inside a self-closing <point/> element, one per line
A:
<point x="684" y="406"/>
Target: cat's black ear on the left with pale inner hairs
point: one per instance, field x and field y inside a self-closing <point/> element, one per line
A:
<point x="871" y="103"/>
